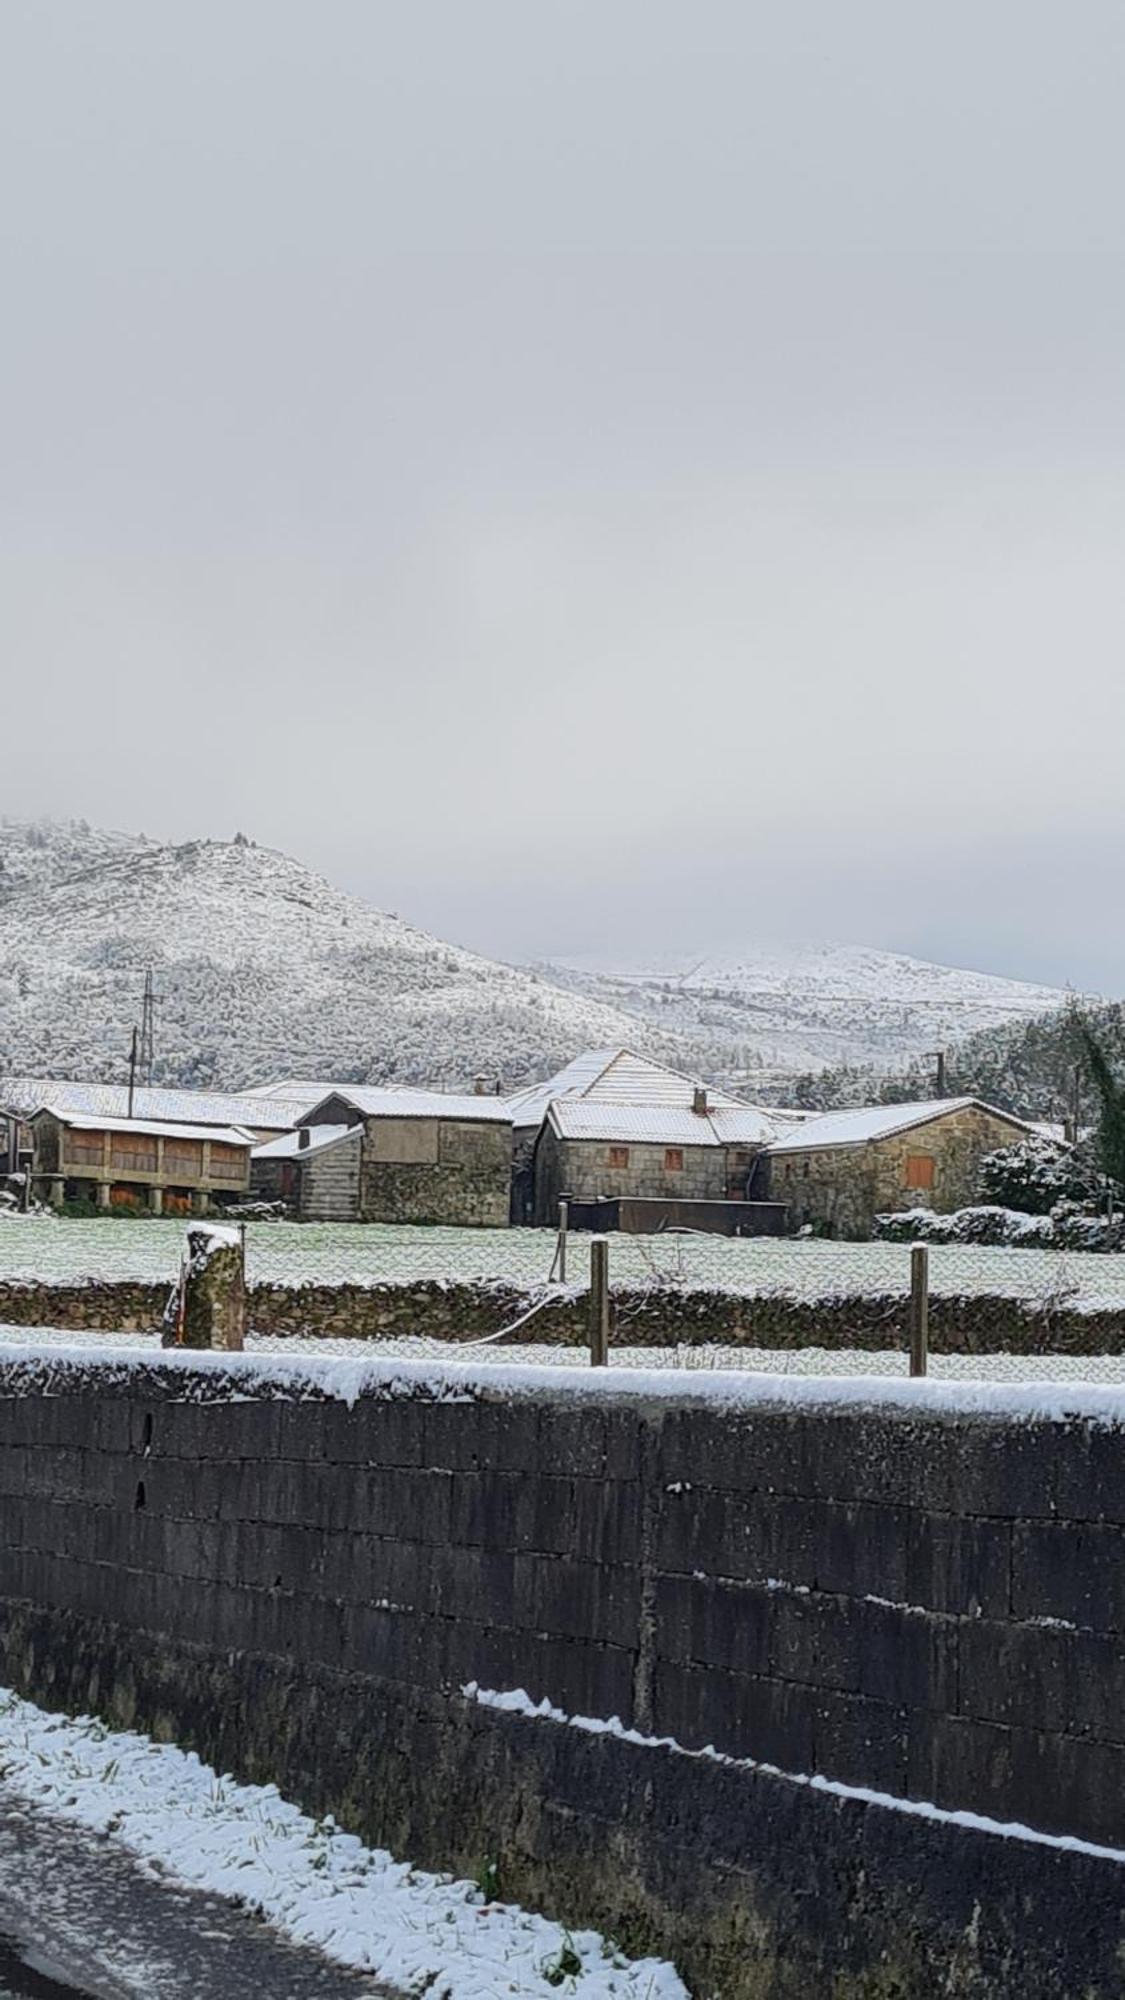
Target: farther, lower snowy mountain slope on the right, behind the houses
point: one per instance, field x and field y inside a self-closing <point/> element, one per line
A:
<point x="774" y="1011"/>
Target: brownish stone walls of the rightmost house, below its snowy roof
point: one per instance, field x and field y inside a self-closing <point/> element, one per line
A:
<point x="846" y="1187"/>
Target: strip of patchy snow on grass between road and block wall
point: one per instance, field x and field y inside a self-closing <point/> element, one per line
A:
<point x="321" y="1887"/>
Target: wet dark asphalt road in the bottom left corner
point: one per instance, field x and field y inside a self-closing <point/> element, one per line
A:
<point x="79" y="1921"/>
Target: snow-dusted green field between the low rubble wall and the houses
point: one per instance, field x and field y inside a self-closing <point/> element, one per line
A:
<point x="281" y="1253"/>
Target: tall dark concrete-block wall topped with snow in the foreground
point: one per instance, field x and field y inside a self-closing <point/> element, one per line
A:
<point x="828" y="1621"/>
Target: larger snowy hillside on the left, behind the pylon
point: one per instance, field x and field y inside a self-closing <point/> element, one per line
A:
<point x="263" y="969"/>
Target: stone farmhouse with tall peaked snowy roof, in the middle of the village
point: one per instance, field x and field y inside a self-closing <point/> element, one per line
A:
<point x="618" y="1125"/>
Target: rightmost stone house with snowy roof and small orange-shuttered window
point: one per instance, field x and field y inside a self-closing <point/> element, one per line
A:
<point x="846" y="1169"/>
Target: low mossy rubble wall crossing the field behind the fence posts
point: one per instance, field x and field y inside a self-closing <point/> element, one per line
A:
<point x="658" y="1317"/>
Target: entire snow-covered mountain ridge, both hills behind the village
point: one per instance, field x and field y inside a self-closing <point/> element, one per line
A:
<point x="265" y="969"/>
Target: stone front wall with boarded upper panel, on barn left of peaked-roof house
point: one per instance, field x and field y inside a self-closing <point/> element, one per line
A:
<point x="449" y="1173"/>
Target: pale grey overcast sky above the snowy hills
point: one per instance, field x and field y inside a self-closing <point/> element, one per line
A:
<point x="582" y="473"/>
